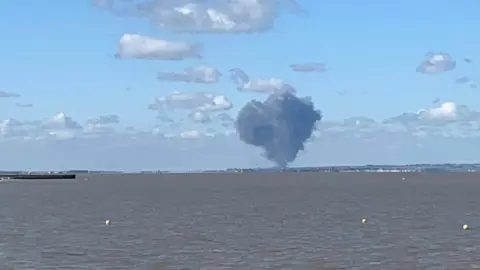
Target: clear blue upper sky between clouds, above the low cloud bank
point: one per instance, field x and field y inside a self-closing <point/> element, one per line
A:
<point x="59" y="57"/>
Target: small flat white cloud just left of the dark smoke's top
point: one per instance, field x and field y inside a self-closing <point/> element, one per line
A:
<point x="192" y="101"/>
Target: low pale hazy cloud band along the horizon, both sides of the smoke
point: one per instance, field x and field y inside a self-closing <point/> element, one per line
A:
<point x="447" y="132"/>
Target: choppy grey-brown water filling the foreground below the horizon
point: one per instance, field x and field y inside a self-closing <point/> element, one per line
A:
<point x="262" y="221"/>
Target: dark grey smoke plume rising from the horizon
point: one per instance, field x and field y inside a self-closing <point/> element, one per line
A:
<point x="280" y="125"/>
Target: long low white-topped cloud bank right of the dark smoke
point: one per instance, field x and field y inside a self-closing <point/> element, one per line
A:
<point x="442" y="121"/>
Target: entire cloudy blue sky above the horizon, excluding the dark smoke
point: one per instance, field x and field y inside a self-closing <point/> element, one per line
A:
<point x="80" y="74"/>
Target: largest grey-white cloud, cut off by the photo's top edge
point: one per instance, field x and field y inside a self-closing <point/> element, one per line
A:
<point x="218" y="16"/>
